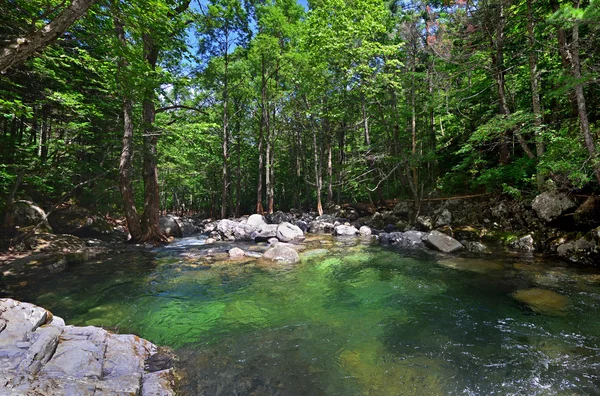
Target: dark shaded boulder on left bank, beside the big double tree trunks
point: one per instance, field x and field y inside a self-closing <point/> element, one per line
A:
<point x="78" y="221"/>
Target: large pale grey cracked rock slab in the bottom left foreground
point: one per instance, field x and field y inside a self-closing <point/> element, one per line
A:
<point x="43" y="357"/>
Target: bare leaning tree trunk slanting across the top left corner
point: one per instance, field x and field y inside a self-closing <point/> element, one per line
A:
<point x="21" y="48"/>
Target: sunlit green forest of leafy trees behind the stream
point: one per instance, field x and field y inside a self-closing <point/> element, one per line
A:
<point x="231" y="107"/>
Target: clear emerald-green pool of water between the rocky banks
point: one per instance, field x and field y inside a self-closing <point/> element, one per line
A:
<point x="350" y="319"/>
